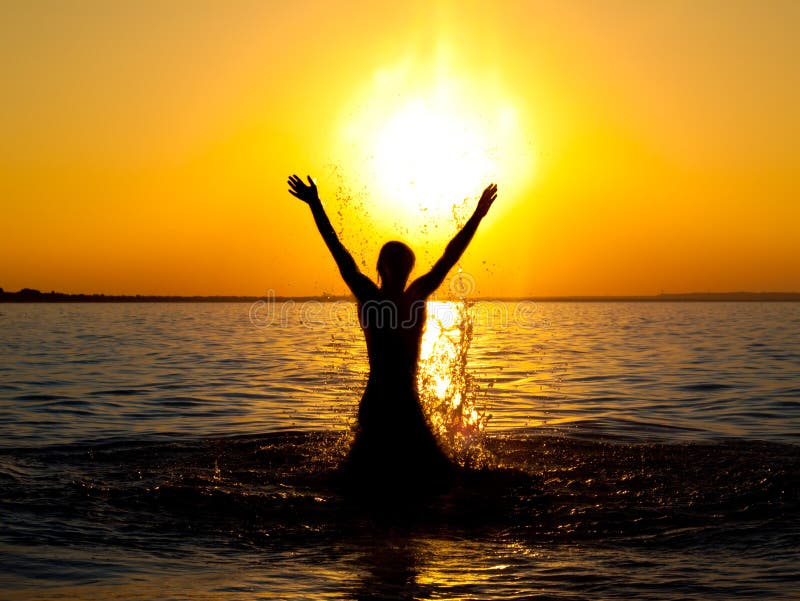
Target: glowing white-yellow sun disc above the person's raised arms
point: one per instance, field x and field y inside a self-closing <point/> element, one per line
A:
<point x="422" y="145"/>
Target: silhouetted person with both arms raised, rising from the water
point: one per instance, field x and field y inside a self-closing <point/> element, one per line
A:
<point x="393" y="444"/>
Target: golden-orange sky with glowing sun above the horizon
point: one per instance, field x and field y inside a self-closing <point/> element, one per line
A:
<point x="639" y="147"/>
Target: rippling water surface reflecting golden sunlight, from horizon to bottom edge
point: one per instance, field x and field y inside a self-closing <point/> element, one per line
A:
<point x="190" y="451"/>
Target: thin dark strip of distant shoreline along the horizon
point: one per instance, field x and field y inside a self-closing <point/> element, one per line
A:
<point x="35" y="296"/>
